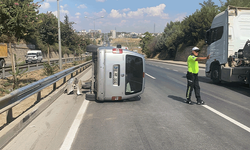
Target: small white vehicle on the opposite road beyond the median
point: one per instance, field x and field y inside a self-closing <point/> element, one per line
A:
<point x="34" y="56"/>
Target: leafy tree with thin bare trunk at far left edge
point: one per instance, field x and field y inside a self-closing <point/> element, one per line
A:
<point x="16" y="19"/>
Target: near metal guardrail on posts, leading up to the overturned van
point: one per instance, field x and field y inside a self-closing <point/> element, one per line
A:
<point x="9" y="101"/>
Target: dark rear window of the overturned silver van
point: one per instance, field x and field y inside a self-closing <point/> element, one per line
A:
<point x="134" y="74"/>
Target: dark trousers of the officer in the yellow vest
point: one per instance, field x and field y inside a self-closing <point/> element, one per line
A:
<point x="193" y="83"/>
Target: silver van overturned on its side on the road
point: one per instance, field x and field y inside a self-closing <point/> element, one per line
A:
<point x="118" y="73"/>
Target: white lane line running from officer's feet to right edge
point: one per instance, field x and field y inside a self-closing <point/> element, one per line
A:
<point x="228" y="118"/>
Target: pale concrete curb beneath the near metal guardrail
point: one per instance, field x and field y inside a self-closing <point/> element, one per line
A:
<point x="15" y="127"/>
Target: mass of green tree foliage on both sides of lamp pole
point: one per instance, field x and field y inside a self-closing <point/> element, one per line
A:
<point x="19" y="19"/>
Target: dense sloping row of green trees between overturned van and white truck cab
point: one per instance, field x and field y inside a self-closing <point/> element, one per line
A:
<point x="190" y="31"/>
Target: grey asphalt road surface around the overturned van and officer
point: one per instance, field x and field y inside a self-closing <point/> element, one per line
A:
<point x="158" y="120"/>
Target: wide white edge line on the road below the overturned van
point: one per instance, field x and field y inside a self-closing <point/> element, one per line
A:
<point x="74" y="127"/>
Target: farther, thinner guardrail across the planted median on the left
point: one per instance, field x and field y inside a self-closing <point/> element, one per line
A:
<point x="8" y="68"/>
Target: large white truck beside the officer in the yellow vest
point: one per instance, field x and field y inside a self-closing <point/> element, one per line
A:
<point x="228" y="42"/>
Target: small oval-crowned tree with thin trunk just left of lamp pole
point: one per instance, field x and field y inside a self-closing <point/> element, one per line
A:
<point x="48" y="30"/>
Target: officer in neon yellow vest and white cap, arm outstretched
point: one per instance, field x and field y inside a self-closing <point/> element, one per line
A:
<point x="192" y="76"/>
